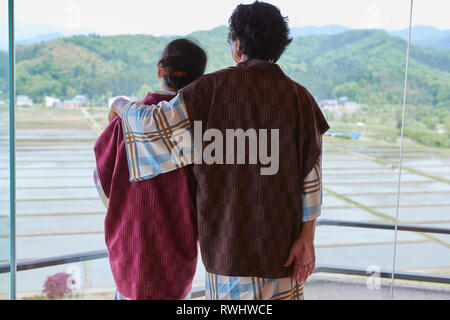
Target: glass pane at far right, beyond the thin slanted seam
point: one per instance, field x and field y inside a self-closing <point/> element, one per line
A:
<point x="425" y="199"/>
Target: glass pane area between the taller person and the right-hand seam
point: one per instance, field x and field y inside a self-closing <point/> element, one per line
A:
<point x="355" y="71"/>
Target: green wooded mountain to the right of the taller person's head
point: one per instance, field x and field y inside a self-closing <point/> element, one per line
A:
<point x="368" y="66"/>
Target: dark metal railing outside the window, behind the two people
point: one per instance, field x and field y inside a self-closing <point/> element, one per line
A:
<point x="197" y="292"/>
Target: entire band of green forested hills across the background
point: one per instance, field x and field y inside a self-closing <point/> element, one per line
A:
<point x="365" y="65"/>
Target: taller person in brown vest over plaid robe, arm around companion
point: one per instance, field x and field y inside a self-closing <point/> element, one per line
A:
<point x="256" y="231"/>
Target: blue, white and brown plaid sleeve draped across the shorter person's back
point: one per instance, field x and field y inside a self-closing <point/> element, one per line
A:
<point x="157" y="138"/>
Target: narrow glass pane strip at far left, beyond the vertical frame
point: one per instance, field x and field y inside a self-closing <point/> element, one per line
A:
<point x="4" y="153"/>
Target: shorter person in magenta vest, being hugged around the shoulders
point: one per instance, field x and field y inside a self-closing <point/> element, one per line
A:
<point x="150" y="227"/>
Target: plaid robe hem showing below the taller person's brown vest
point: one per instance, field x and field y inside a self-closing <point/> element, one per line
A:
<point x="251" y="288"/>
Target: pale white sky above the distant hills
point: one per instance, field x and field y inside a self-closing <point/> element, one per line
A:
<point x="184" y="16"/>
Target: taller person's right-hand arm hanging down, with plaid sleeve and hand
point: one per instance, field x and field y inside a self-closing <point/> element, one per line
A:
<point x="303" y="251"/>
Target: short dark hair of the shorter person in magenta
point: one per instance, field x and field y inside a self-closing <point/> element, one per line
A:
<point x="182" y="62"/>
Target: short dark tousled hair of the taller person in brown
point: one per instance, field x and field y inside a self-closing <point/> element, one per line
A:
<point x="261" y="29"/>
